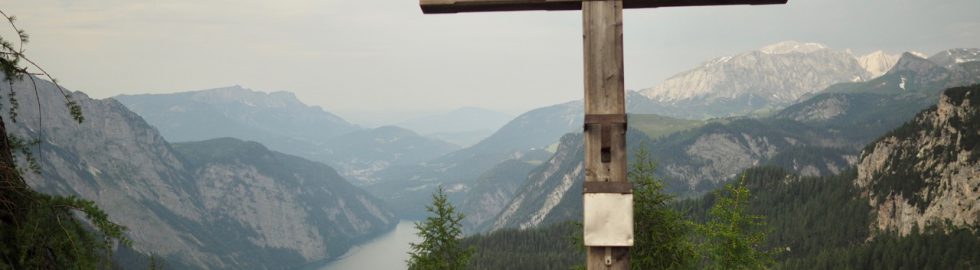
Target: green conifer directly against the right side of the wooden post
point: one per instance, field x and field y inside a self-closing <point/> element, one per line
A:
<point x="662" y="236"/>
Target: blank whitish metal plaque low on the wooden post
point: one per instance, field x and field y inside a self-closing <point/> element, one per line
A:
<point x="608" y="219"/>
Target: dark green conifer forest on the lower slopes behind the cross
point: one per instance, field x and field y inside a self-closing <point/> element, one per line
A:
<point x="814" y="223"/>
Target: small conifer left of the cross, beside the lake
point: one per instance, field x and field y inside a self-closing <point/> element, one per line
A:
<point x="441" y="232"/>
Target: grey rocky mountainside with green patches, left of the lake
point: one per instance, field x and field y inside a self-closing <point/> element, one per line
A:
<point x="235" y="212"/>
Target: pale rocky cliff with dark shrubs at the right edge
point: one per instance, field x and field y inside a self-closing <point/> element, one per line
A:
<point x="927" y="170"/>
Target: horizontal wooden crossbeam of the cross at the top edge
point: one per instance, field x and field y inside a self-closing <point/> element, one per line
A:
<point x="457" y="6"/>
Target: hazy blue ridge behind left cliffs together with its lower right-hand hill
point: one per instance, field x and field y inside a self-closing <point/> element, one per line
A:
<point x="283" y="123"/>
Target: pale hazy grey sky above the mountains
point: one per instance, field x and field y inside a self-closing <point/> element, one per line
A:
<point x="382" y="58"/>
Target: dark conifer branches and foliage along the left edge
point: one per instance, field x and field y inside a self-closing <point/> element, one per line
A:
<point x="40" y="231"/>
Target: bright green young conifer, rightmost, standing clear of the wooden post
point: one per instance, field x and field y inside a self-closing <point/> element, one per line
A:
<point x="734" y="238"/>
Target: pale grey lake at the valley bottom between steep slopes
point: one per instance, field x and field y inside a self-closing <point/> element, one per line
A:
<point x="387" y="251"/>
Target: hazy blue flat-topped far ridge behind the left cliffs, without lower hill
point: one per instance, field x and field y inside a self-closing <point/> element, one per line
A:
<point x="236" y="112"/>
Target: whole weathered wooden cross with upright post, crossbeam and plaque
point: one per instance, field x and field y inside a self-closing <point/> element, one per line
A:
<point x="608" y="200"/>
